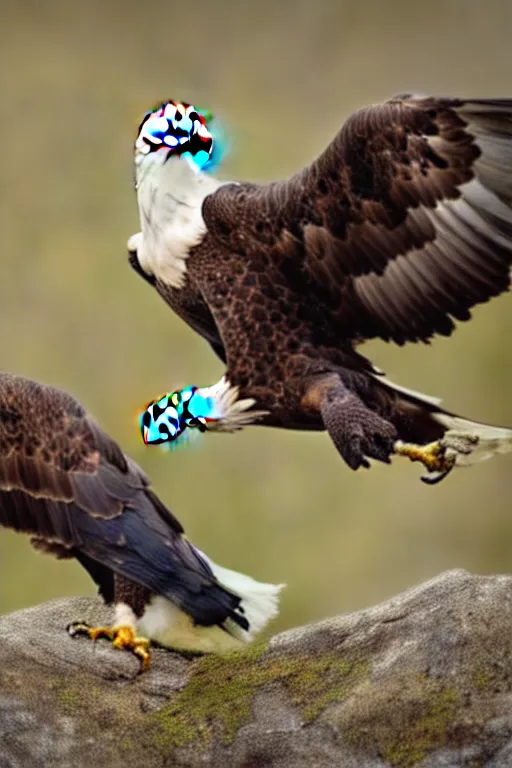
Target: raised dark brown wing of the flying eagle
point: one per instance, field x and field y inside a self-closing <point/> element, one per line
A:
<point x="402" y="224"/>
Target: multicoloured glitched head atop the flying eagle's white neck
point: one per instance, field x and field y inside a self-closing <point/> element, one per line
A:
<point x="178" y="129"/>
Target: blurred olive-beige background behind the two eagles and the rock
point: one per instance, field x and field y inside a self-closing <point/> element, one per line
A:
<point x="76" y="78"/>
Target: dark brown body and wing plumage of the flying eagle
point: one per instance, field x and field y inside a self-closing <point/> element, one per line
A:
<point x="400" y="227"/>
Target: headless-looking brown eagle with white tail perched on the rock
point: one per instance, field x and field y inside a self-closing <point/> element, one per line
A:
<point x="68" y="484"/>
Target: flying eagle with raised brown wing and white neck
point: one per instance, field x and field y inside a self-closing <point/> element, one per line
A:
<point x="395" y="231"/>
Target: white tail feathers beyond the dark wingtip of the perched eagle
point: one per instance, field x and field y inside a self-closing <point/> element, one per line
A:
<point x="260" y="601"/>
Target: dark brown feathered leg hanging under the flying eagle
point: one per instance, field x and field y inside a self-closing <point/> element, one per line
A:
<point x="358" y="432"/>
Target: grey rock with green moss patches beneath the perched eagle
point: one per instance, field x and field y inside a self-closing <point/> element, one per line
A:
<point x="421" y="680"/>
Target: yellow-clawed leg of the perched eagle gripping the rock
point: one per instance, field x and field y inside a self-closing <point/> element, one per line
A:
<point x="131" y="600"/>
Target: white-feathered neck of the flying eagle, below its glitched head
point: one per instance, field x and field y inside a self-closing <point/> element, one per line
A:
<point x="170" y="194"/>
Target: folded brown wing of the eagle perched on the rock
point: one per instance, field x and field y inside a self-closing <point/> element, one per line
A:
<point x="65" y="482"/>
